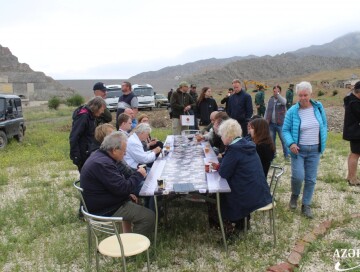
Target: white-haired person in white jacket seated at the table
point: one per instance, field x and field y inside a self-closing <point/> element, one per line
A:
<point x="135" y="154"/>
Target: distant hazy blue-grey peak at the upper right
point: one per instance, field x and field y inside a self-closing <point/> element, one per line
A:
<point x="347" y="46"/>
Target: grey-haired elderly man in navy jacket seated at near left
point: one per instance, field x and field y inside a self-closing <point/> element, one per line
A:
<point x="107" y="191"/>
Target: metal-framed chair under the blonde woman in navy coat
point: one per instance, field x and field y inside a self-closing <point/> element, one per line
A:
<point x="275" y="178"/>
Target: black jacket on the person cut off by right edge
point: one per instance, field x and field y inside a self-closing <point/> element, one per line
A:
<point x="351" y="129"/>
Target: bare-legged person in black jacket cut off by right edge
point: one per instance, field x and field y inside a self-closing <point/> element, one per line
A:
<point x="351" y="132"/>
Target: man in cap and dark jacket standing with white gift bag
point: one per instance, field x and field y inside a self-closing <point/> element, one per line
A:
<point x="181" y="103"/>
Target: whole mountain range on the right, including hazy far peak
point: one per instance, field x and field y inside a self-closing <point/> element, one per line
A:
<point x="343" y="52"/>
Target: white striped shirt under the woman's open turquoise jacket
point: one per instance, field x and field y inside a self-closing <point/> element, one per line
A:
<point x="309" y="128"/>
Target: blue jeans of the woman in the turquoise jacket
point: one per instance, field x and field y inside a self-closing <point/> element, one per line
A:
<point x="304" y="166"/>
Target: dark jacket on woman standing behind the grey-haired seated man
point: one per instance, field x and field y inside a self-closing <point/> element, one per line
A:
<point x="82" y="135"/>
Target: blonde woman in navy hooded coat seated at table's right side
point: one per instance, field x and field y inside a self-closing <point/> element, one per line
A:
<point x="240" y="167"/>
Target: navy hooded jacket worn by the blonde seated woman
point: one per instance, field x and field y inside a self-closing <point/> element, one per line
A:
<point x="241" y="167"/>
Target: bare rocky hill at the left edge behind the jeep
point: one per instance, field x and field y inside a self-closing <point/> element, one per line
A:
<point x="20" y="79"/>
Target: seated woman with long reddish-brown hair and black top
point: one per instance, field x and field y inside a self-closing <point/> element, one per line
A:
<point x="260" y="134"/>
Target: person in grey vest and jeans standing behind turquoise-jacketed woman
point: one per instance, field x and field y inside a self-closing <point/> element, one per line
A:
<point x="274" y="115"/>
